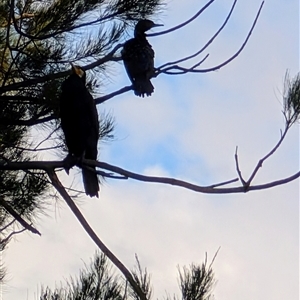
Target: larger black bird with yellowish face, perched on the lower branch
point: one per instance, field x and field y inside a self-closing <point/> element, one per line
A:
<point x="79" y="122"/>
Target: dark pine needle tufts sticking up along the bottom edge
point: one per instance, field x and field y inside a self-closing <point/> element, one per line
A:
<point x="98" y="282"/>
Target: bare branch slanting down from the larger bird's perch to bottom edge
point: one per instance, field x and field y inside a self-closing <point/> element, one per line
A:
<point x="59" y="187"/>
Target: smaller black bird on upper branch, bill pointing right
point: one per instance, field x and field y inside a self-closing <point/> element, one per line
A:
<point x="138" y="58"/>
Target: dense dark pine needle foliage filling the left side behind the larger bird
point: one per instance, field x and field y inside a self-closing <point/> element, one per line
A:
<point x="38" y="41"/>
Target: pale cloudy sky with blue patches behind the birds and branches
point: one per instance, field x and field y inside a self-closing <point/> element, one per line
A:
<point x="189" y="129"/>
